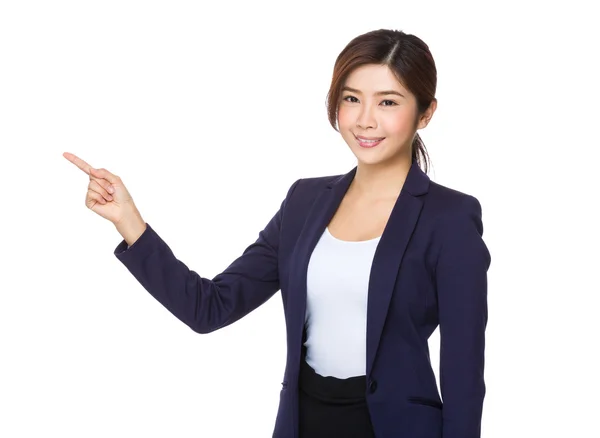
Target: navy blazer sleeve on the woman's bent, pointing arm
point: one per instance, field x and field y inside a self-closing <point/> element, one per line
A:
<point x="203" y="304"/>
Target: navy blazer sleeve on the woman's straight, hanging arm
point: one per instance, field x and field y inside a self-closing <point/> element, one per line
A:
<point x="461" y="279"/>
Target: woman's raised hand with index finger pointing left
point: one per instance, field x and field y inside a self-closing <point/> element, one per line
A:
<point x="106" y="195"/>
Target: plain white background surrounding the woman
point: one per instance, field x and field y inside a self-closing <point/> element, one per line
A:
<point x="209" y="113"/>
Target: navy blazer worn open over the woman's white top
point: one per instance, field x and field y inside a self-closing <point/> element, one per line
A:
<point x="430" y="268"/>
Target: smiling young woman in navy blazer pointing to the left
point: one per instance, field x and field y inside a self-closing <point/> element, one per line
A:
<point x="369" y="263"/>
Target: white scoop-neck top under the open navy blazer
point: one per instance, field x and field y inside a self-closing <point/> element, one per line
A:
<point x="336" y="308"/>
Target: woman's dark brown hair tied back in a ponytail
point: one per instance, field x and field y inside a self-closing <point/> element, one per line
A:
<point x="407" y="56"/>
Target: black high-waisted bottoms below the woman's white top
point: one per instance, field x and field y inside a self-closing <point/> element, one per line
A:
<point x="332" y="407"/>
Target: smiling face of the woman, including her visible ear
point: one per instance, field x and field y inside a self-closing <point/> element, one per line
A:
<point x="378" y="117"/>
